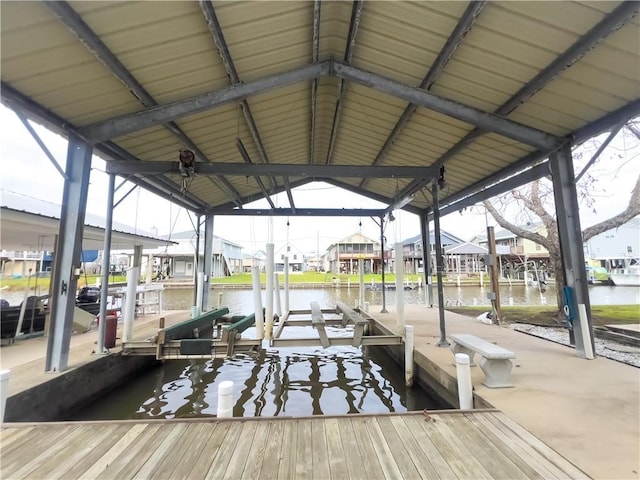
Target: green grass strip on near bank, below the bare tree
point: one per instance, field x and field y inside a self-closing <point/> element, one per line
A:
<point x="600" y="314"/>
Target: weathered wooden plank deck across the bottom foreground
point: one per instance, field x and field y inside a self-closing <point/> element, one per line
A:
<point x="479" y="444"/>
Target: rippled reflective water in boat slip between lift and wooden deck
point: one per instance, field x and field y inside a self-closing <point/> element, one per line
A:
<point x="336" y="380"/>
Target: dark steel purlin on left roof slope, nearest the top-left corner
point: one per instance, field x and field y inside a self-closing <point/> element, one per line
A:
<point x="70" y="18"/>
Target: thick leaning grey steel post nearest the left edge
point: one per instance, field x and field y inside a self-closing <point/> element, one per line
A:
<point x="68" y="253"/>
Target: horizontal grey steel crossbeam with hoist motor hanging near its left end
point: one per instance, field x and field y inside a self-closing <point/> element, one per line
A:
<point x="274" y="169"/>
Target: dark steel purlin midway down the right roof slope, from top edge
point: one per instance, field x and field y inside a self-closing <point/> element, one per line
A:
<point x="453" y="42"/>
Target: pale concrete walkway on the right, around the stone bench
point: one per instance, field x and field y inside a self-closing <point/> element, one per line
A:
<point x="587" y="410"/>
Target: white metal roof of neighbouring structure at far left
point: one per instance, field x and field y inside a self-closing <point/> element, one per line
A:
<point x="31" y="224"/>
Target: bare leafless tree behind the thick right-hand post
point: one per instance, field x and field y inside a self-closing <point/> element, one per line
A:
<point x="535" y="200"/>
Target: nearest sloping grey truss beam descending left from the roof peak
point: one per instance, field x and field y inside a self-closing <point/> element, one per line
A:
<point x="152" y="116"/>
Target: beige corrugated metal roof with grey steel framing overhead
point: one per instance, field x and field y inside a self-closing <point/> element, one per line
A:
<point x="485" y="89"/>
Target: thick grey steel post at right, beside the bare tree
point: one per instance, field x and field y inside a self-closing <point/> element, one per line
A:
<point x="570" y="235"/>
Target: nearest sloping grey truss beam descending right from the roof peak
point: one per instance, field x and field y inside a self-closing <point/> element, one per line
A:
<point x="479" y="118"/>
